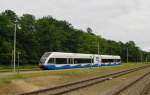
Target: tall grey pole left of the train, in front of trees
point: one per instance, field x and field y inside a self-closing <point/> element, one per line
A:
<point x="15" y="46"/>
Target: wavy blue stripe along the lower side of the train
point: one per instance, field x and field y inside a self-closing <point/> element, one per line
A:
<point x="67" y="66"/>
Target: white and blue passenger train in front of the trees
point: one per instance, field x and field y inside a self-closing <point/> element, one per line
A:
<point x="62" y="60"/>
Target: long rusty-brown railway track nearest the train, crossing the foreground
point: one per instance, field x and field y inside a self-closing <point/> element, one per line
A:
<point x="59" y="90"/>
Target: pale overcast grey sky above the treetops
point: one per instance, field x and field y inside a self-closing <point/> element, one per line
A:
<point x="119" y="20"/>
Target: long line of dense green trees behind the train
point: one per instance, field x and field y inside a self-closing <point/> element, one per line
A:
<point x="36" y="36"/>
